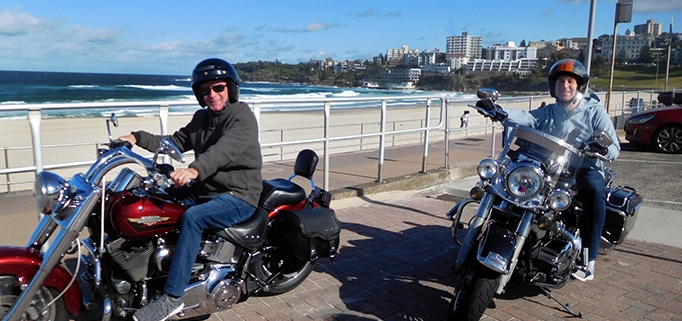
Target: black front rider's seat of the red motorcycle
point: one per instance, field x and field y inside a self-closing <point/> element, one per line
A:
<point x="250" y="233"/>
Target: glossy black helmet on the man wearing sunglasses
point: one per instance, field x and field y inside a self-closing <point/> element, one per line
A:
<point x="214" y="69"/>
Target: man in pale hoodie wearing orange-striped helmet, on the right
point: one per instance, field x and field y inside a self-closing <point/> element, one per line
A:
<point x="579" y="115"/>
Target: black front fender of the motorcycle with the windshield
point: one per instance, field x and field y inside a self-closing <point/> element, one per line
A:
<point x="496" y="249"/>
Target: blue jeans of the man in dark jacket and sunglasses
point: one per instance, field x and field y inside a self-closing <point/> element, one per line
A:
<point x="220" y="211"/>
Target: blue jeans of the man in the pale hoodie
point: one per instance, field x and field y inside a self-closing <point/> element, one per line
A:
<point x="593" y="195"/>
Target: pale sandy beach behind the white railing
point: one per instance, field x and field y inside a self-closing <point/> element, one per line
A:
<point x="81" y="135"/>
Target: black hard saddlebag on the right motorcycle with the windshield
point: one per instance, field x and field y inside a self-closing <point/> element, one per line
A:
<point x="622" y="206"/>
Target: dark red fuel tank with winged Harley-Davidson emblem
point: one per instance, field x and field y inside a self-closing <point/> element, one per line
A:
<point x="137" y="215"/>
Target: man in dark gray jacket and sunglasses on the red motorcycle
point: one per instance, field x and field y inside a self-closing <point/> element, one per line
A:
<point x="226" y="172"/>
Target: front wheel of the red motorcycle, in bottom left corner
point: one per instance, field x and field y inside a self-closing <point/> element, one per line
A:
<point x="10" y="288"/>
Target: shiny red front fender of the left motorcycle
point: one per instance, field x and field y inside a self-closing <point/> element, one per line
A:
<point x="24" y="262"/>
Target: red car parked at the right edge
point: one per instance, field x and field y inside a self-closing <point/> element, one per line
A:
<point x="659" y="127"/>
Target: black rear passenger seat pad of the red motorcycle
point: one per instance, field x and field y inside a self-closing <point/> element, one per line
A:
<point x="279" y="192"/>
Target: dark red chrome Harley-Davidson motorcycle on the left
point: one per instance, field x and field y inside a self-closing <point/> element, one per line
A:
<point x="131" y="227"/>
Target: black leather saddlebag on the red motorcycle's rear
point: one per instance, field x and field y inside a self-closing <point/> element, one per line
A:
<point x="308" y="234"/>
